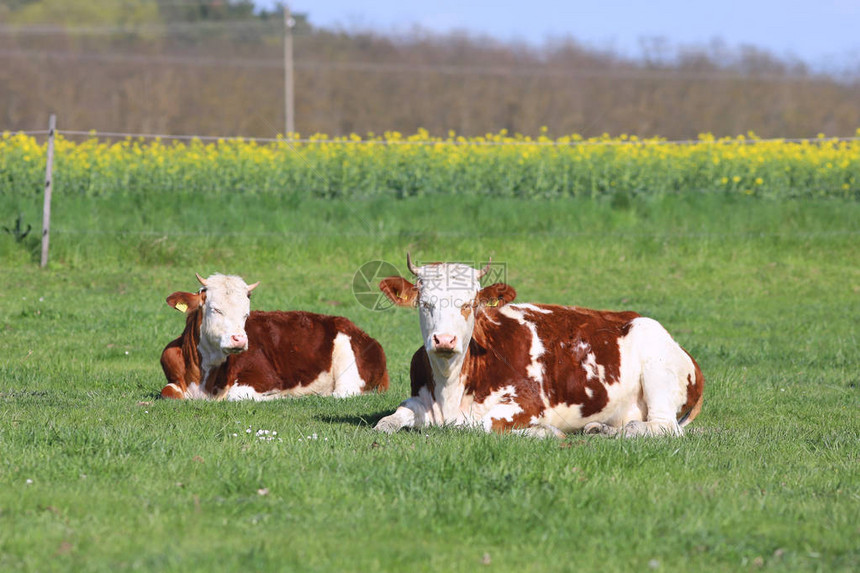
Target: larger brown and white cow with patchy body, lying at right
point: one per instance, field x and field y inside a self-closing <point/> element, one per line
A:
<point x="537" y="369"/>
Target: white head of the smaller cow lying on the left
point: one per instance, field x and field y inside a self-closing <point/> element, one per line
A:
<point x="225" y="303"/>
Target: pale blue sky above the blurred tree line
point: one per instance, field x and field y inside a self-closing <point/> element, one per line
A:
<point x="823" y="33"/>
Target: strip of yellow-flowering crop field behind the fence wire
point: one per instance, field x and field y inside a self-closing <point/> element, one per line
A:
<point x="392" y="164"/>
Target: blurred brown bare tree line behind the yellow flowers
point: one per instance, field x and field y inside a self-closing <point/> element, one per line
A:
<point x="216" y="68"/>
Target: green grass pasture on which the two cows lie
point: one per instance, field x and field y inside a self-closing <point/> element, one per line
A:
<point x="96" y="474"/>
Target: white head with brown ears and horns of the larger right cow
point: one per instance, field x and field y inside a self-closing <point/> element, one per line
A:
<point x="448" y="296"/>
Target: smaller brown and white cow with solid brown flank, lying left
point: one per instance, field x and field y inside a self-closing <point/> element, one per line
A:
<point x="228" y="352"/>
